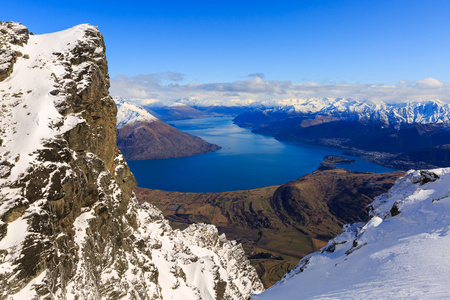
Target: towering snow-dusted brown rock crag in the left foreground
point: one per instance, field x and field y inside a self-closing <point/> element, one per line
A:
<point x="70" y="224"/>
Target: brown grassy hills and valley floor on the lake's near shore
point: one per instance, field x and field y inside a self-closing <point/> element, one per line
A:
<point x="278" y="225"/>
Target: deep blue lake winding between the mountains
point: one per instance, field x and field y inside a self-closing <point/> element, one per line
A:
<point x="246" y="161"/>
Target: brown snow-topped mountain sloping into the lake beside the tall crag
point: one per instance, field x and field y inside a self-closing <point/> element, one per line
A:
<point x="141" y="136"/>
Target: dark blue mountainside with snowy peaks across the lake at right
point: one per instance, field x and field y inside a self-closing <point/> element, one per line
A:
<point x="363" y="127"/>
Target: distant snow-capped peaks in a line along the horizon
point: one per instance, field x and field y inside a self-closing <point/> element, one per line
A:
<point x="424" y="112"/>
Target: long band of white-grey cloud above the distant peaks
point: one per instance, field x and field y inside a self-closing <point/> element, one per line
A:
<point x="166" y="88"/>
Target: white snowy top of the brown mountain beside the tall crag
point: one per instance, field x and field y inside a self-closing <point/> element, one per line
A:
<point x="129" y="113"/>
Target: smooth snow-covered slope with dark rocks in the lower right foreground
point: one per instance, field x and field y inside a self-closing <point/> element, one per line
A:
<point x="401" y="253"/>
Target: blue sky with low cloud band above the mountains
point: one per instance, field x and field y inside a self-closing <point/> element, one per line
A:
<point x="393" y="50"/>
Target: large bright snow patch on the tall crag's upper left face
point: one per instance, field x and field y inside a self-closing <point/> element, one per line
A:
<point x="27" y="123"/>
